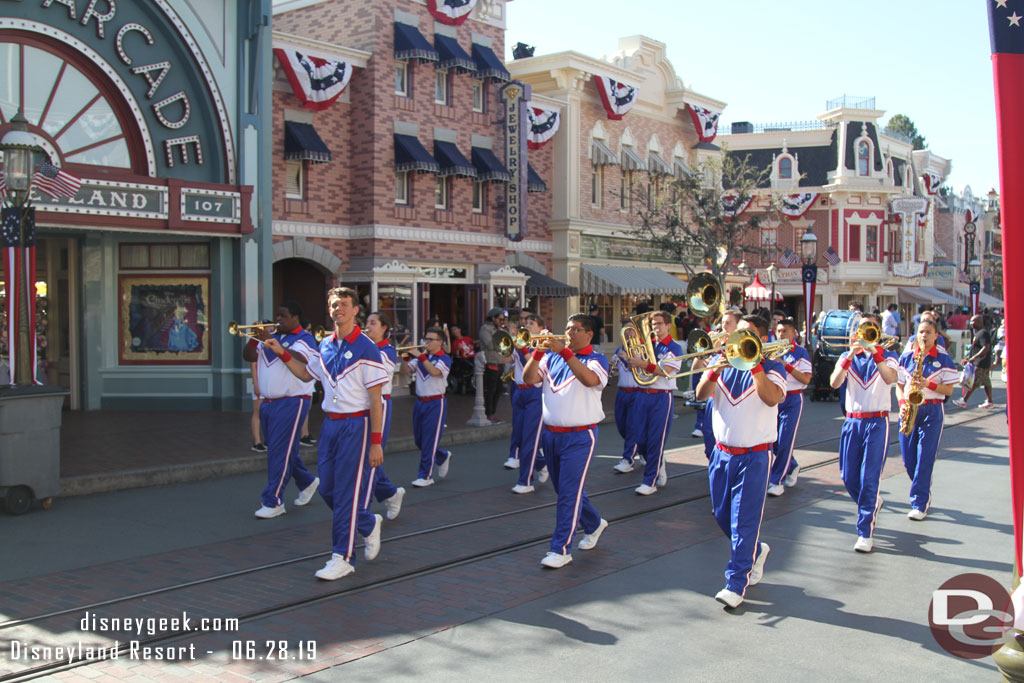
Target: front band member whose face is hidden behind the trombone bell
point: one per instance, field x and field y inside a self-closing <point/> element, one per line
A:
<point x="746" y="424"/>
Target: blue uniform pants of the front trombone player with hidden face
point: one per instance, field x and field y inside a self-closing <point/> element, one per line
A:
<point x="739" y="485"/>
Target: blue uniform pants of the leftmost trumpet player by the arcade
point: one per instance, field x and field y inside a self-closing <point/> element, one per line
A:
<point x="282" y="420"/>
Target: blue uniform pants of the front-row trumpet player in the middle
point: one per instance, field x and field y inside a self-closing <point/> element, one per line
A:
<point x="569" y="457"/>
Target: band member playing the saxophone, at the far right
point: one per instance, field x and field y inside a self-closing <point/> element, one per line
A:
<point x="938" y="377"/>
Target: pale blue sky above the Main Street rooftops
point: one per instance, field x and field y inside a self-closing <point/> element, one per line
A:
<point x="782" y="62"/>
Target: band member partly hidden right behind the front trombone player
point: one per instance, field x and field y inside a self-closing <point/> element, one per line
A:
<point x="785" y="468"/>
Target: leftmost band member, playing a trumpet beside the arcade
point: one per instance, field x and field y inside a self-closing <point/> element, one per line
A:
<point x="285" y="406"/>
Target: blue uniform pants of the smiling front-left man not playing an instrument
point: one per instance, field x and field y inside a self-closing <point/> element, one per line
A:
<point x="344" y="464"/>
